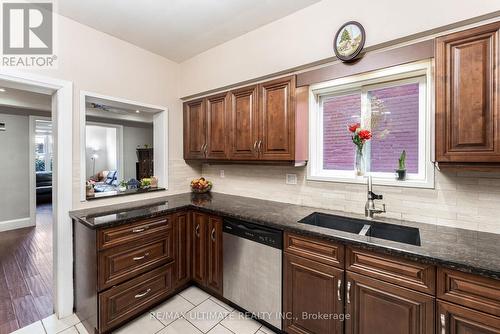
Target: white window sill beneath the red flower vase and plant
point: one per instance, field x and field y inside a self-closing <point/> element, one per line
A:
<point x="427" y="184"/>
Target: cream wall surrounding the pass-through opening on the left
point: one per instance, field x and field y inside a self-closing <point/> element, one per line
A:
<point x="100" y="63"/>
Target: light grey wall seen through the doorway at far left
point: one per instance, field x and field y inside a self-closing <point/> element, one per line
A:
<point x="15" y="168"/>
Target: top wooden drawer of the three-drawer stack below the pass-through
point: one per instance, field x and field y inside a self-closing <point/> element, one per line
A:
<point x="114" y="236"/>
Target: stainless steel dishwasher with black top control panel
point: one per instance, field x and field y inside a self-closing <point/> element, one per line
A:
<point x="253" y="269"/>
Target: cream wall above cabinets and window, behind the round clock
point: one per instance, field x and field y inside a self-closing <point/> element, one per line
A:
<point x="306" y="36"/>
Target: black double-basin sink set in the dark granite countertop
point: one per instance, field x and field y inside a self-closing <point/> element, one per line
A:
<point x="398" y="233"/>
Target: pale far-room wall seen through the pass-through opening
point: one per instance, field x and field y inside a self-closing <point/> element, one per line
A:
<point x="133" y="137"/>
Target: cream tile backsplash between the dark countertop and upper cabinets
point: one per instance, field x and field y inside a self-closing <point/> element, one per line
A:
<point x="467" y="200"/>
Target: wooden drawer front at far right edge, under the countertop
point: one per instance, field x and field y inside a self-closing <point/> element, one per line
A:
<point x="469" y="290"/>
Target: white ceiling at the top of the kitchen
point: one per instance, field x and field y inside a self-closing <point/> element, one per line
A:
<point x="178" y="29"/>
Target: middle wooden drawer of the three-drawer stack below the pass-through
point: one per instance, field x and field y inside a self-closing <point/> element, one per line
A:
<point x="124" y="262"/>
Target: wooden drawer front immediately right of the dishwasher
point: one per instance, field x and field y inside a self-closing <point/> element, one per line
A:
<point x="318" y="250"/>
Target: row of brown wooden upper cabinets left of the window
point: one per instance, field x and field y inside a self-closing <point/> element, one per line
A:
<point x="265" y="122"/>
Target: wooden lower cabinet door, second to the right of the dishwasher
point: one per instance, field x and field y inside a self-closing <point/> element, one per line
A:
<point x="378" y="307"/>
